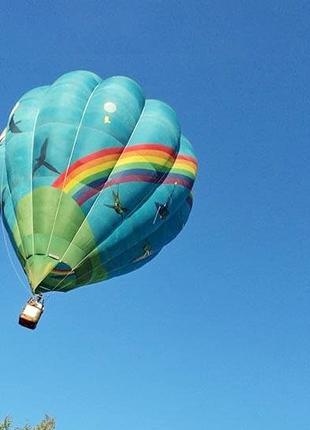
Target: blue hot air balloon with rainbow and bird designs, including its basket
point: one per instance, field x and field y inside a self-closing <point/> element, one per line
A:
<point x="96" y="180"/>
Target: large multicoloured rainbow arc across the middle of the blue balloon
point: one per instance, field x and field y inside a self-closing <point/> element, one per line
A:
<point x="150" y="162"/>
